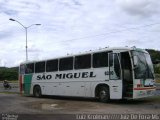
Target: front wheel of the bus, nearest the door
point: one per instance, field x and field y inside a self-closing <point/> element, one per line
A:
<point x="104" y="94"/>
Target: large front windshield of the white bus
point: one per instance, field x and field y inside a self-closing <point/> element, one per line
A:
<point x="144" y="68"/>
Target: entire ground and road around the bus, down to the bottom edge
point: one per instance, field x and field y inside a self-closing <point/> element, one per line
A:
<point x="71" y="108"/>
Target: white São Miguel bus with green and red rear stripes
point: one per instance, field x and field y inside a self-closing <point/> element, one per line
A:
<point x="109" y="73"/>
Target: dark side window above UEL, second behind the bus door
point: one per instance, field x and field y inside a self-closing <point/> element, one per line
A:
<point x="82" y="62"/>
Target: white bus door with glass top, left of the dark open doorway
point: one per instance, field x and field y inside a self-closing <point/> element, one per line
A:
<point x="115" y="76"/>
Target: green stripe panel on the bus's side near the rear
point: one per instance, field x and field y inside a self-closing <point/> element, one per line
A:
<point x="27" y="83"/>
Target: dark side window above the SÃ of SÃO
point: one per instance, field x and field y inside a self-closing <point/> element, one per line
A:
<point x="39" y="67"/>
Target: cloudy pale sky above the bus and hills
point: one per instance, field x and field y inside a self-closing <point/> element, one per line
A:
<point x="74" y="26"/>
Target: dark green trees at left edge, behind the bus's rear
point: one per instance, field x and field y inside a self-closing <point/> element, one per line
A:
<point x="8" y="73"/>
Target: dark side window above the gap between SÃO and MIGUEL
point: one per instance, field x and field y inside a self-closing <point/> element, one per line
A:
<point x="52" y="65"/>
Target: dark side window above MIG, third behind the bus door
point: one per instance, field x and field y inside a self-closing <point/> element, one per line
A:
<point x="66" y="64"/>
